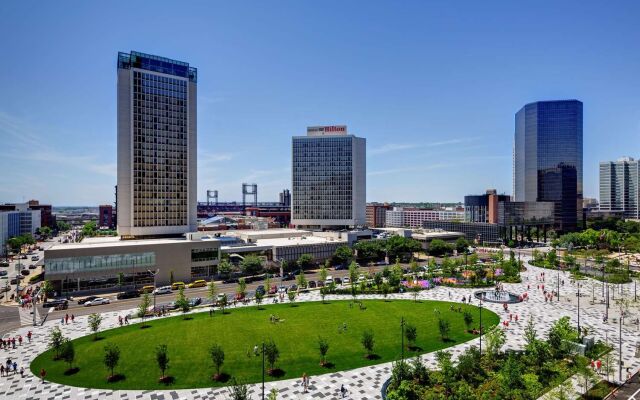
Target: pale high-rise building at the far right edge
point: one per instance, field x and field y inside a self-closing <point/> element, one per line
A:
<point x="619" y="187"/>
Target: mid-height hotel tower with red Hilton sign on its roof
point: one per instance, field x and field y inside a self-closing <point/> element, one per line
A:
<point x="328" y="179"/>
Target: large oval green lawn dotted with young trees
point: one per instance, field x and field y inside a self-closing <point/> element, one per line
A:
<point x="240" y="329"/>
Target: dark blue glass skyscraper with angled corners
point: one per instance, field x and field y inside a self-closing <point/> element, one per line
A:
<point x="547" y="158"/>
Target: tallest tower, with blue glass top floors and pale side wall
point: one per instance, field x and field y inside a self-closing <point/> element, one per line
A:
<point x="157" y="141"/>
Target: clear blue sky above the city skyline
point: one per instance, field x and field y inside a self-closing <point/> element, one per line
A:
<point x="433" y="86"/>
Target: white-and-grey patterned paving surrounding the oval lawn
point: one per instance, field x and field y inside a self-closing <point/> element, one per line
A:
<point x="362" y="383"/>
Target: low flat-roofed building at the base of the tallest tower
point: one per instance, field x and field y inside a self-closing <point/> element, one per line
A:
<point x="108" y="262"/>
